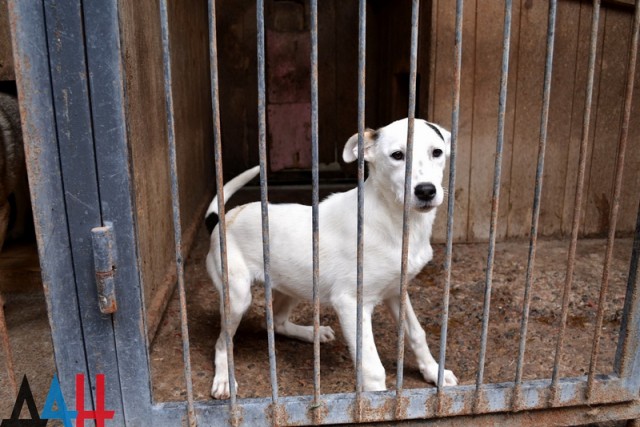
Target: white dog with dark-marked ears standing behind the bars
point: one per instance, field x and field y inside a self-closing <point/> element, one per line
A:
<point x="291" y="249"/>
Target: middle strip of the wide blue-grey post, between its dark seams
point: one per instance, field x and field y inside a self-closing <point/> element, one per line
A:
<point x="76" y="145"/>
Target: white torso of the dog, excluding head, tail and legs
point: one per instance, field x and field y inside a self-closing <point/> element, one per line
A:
<point x="290" y="238"/>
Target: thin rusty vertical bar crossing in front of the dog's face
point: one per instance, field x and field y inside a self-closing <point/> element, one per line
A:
<point x="413" y="66"/>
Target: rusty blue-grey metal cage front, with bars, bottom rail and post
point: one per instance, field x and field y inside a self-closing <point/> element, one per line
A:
<point x="70" y="79"/>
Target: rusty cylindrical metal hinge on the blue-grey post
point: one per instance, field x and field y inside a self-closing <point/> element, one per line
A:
<point x="104" y="259"/>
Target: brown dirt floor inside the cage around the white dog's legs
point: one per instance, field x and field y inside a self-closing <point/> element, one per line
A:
<point x="295" y="358"/>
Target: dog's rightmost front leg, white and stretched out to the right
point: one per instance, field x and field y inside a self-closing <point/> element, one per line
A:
<point x="417" y="340"/>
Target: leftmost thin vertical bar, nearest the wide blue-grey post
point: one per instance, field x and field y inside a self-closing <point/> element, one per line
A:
<point x="175" y="202"/>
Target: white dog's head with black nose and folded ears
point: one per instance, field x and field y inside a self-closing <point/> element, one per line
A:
<point x="385" y="152"/>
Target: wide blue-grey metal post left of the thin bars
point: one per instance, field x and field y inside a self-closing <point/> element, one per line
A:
<point x="72" y="107"/>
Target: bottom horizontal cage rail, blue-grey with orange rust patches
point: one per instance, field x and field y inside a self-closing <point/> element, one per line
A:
<point x="338" y="408"/>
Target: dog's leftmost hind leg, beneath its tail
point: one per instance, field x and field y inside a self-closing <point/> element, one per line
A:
<point x="239" y="302"/>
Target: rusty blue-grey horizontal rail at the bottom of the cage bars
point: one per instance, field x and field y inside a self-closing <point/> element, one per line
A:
<point x="420" y="403"/>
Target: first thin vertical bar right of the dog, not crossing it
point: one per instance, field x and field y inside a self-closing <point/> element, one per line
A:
<point x="495" y="201"/>
